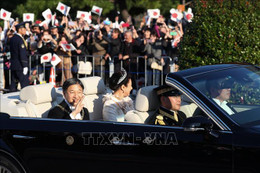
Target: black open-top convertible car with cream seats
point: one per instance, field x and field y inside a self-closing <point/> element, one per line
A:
<point x="213" y="138"/>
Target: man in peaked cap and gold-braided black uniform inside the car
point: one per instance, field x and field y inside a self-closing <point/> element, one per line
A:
<point x="169" y="112"/>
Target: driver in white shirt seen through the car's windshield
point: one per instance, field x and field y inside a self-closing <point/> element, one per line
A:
<point x="220" y="91"/>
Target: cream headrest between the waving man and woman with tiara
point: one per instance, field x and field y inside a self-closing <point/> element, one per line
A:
<point x="93" y="85"/>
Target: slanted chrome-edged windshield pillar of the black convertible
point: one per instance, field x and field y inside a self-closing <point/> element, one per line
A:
<point x="195" y="99"/>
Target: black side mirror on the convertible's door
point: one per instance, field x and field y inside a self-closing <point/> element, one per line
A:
<point x="197" y="124"/>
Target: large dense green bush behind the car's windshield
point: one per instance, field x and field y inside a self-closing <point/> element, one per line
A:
<point x="222" y="31"/>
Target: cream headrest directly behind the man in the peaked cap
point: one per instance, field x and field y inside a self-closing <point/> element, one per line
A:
<point x="146" y="99"/>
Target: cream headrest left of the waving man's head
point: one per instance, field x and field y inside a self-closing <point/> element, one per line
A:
<point x="38" y="93"/>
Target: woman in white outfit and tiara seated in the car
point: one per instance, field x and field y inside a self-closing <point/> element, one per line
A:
<point x="116" y="105"/>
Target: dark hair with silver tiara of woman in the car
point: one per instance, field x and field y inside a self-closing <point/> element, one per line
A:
<point x="118" y="79"/>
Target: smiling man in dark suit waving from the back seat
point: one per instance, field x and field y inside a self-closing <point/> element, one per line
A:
<point x="71" y="107"/>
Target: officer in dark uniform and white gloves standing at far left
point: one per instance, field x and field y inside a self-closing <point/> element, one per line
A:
<point x="19" y="59"/>
